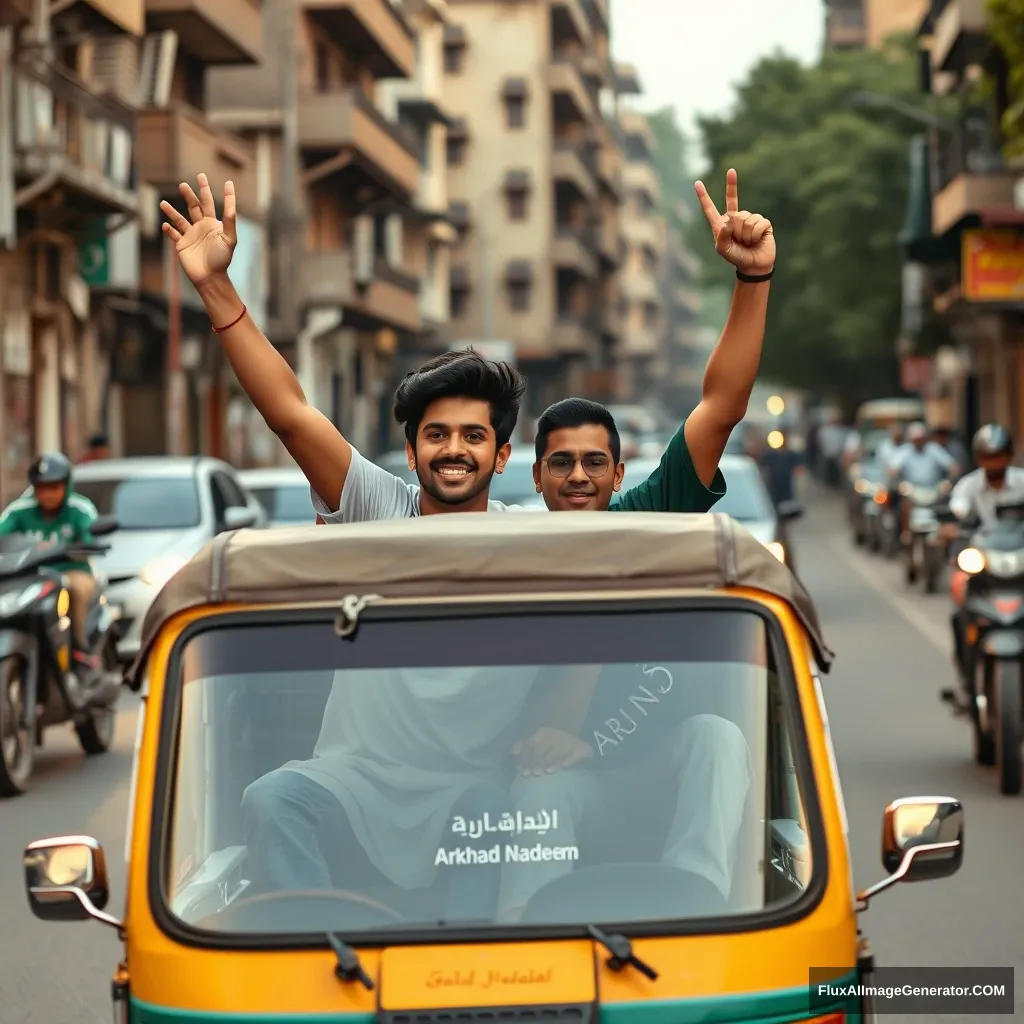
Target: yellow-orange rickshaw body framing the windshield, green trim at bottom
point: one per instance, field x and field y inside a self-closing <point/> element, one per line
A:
<point x="758" y="974"/>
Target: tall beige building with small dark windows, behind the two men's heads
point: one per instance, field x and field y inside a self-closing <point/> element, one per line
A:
<point x="534" y="186"/>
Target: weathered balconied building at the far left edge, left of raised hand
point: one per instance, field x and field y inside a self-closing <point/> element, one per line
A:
<point x="67" y="181"/>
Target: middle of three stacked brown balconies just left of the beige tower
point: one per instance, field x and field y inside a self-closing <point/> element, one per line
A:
<point x="348" y="138"/>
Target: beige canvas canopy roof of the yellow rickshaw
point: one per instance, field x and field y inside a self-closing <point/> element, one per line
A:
<point x="473" y="556"/>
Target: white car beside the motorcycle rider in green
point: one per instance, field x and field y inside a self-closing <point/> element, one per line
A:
<point x="166" y="508"/>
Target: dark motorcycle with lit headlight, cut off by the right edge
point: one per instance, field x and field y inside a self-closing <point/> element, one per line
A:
<point x="992" y="653"/>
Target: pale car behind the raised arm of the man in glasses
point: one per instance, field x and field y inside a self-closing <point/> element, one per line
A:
<point x="747" y="500"/>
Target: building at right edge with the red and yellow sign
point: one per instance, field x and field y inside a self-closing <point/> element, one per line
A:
<point x="965" y="227"/>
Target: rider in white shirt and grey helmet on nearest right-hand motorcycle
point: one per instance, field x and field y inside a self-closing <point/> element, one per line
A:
<point x="974" y="501"/>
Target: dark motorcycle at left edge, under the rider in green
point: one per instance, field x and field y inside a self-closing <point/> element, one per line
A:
<point x="39" y="688"/>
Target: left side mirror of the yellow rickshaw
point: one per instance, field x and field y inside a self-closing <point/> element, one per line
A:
<point x="66" y="880"/>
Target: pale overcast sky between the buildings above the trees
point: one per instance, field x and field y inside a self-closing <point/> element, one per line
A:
<point x="691" y="54"/>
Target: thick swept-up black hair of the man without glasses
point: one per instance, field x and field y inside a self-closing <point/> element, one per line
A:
<point x="463" y="374"/>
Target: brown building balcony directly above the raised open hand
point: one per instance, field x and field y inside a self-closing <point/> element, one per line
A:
<point x="177" y="142"/>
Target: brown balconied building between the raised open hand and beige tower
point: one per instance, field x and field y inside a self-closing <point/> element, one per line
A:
<point x="337" y="181"/>
